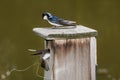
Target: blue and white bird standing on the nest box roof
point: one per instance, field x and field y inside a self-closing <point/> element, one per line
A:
<point x="57" y="22"/>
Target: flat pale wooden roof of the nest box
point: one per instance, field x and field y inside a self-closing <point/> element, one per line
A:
<point x="65" y="33"/>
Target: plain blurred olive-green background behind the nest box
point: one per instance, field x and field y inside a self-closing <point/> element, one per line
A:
<point x="19" y="17"/>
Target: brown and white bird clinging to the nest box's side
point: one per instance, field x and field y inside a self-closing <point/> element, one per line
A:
<point x="44" y="55"/>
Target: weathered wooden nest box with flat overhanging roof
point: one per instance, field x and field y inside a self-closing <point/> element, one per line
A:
<point x="73" y="52"/>
